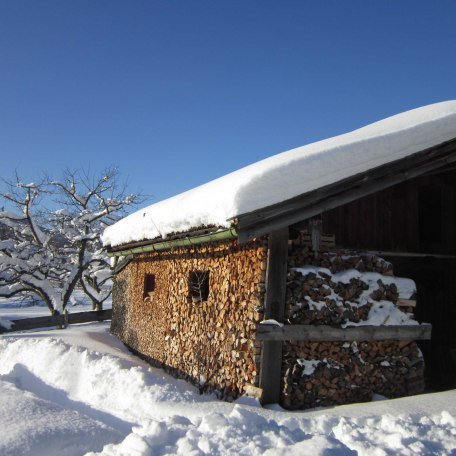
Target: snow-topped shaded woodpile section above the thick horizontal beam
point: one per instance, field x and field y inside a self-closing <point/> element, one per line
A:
<point x="346" y="288"/>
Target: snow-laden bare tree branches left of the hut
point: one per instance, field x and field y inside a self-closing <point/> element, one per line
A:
<point x="48" y="252"/>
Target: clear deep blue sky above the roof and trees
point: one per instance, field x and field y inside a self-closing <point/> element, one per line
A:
<point x="177" y="93"/>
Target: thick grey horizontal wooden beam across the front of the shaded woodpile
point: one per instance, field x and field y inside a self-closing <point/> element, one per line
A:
<point x="329" y="334"/>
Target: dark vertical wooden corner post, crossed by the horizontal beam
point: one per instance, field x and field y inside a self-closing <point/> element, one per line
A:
<point x="276" y="283"/>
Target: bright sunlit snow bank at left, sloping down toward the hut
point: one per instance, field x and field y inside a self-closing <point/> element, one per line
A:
<point x="105" y="382"/>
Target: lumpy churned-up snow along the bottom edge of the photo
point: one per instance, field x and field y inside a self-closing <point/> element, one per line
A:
<point x="247" y="433"/>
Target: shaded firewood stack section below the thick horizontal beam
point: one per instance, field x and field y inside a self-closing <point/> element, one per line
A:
<point x="349" y="372"/>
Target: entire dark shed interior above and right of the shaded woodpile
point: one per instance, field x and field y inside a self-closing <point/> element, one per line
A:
<point x="417" y="216"/>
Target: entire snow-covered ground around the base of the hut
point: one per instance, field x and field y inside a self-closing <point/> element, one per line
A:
<point x="78" y="391"/>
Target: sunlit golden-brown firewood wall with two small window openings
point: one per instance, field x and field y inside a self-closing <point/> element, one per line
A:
<point x="210" y="342"/>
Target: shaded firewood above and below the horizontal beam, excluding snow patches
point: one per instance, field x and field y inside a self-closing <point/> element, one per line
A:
<point x="330" y="373"/>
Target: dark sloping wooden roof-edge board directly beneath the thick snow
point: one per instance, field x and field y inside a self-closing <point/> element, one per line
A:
<point x="305" y="206"/>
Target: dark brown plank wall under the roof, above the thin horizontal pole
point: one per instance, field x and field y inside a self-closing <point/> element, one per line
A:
<point x="416" y="216"/>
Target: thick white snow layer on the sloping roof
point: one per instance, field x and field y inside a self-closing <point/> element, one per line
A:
<point x="288" y="174"/>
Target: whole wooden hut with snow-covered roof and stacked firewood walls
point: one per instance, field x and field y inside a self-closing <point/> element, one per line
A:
<point x="232" y="285"/>
